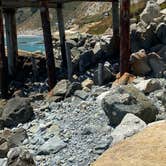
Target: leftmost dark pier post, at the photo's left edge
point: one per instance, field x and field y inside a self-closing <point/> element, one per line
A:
<point x="3" y="60"/>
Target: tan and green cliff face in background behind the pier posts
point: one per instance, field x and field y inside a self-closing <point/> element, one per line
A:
<point x="91" y="17"/>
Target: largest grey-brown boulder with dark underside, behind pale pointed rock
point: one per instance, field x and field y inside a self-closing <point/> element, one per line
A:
<point x="128" y="99"/>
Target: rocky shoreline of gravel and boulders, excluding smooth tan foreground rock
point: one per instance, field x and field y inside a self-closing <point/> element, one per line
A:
<point x="77" y="121"/>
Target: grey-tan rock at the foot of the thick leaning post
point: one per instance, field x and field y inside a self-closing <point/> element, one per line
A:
<point x="60" y="88"/>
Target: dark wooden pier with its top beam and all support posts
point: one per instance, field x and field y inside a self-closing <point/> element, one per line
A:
<point x="121" y="39"/>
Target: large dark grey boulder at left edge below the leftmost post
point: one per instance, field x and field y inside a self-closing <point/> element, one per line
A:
<point x="17" y="110"/>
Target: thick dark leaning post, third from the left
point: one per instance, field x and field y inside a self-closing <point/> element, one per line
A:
<point x="50" y="63"/>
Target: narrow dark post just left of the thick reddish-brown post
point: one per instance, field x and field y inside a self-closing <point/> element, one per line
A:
<point x="115" y="25"/>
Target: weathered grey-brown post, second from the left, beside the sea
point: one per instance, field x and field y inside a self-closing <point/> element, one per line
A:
<point x="11" y="38"/>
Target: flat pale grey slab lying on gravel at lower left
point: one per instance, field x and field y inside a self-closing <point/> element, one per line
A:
<point x="53" y="145"/>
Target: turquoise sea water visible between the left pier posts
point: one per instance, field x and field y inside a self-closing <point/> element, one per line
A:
<point x="31" y="43"/>
